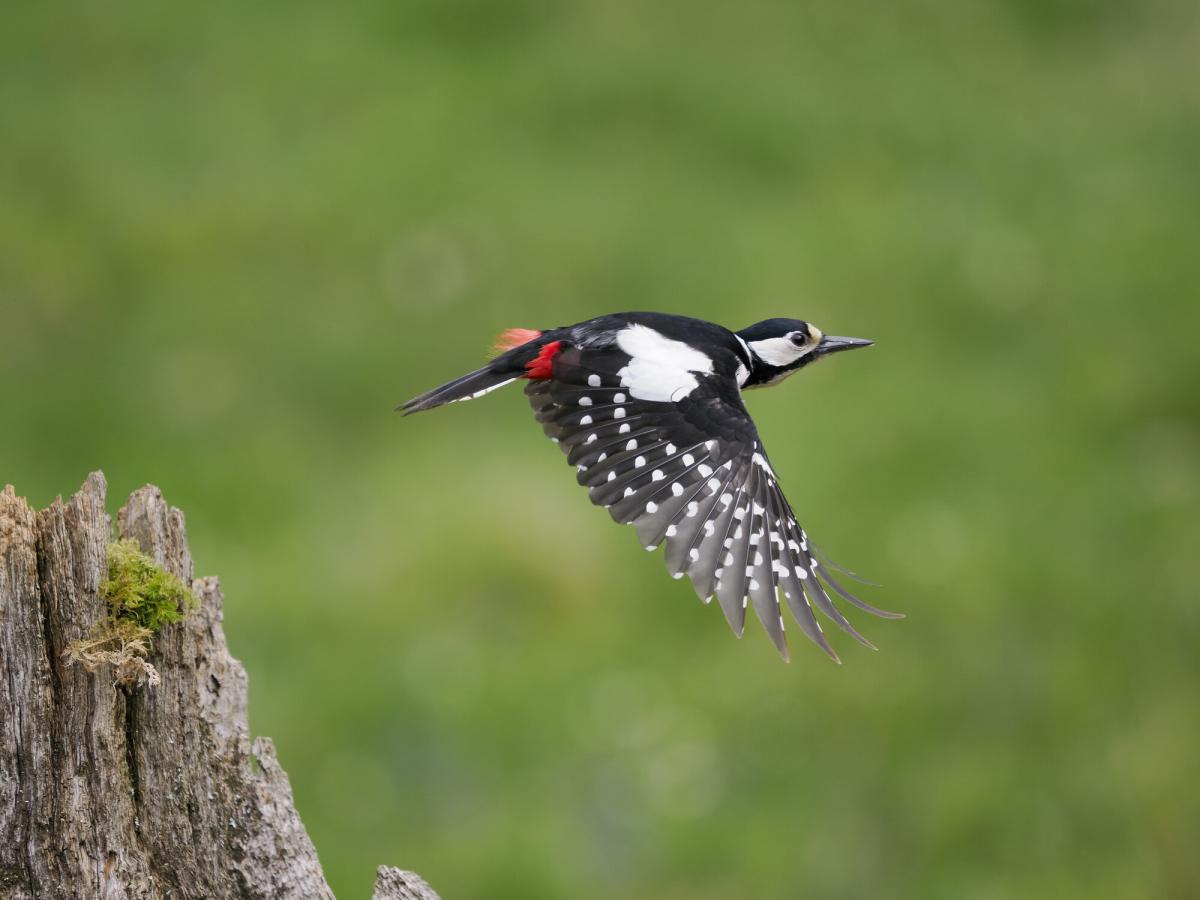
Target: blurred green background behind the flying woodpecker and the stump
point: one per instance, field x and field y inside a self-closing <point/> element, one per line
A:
<point x="235" y="236"/>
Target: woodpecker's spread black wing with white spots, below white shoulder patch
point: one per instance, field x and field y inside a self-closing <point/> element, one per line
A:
<point x="691" y="473"/>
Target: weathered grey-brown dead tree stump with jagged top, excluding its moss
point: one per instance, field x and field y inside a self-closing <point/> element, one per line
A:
<point x="134" y="793"/>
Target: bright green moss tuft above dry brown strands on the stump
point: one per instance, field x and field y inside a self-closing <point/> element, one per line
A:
<point x="139" y="591"/>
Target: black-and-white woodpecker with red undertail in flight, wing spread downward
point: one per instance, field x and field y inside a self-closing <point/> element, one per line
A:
<point x="649" y="410"/>
